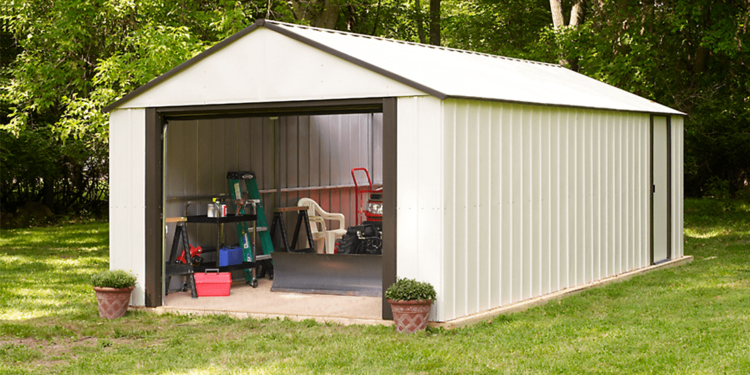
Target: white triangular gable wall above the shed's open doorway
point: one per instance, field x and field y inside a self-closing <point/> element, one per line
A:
<point x="265" y="66"/>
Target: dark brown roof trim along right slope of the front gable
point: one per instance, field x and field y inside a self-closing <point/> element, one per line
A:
<point x="281" y="28"/>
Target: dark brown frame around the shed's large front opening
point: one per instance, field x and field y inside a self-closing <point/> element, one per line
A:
<point x="156" y="119"/>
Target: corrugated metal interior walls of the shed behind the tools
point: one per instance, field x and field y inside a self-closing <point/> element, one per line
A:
<point x="314" y="151"/>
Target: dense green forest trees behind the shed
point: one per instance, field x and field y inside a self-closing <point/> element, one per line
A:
<point x="62" y="61"/>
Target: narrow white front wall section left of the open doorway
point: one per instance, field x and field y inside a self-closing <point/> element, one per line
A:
<point x="127" y="132"/>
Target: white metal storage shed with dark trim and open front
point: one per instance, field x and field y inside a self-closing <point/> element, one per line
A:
<point x="506" y="179"/>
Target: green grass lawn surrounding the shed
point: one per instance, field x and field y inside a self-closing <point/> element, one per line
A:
<point x="690" y="319"/>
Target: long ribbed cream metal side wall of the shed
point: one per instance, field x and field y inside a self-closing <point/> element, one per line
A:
<point x="538" y="199"/>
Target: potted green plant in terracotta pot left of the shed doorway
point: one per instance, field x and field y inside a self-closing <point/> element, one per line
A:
<point x="113" y="289"/>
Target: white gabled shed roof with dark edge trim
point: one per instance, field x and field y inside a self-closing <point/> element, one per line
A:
<point x="445" y="72"/>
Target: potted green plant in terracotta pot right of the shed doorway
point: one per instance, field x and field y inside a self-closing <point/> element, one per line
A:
<point x="410" y="301"/>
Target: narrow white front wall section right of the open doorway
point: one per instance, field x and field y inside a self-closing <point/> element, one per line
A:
<point x="420" y="196"/>
